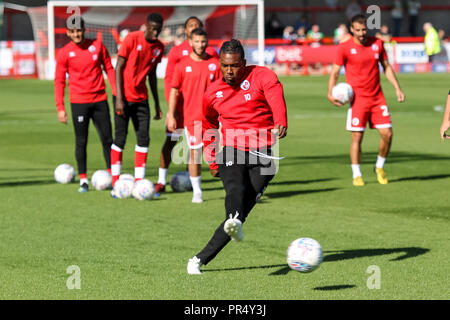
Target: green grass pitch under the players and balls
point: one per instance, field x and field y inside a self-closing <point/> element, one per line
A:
<point x="127" y="249"/>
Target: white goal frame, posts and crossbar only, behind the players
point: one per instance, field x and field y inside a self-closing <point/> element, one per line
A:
<point x="153" y="3"/>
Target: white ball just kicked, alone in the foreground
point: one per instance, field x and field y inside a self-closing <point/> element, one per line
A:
<point x="304" y="255"/>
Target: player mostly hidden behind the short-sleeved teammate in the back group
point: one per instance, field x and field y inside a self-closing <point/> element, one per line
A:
<point x="176" y="54"/>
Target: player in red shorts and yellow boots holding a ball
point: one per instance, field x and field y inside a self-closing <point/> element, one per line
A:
<point x="360" y="55"/>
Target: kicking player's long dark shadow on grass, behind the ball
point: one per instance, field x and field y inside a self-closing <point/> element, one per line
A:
<point x="409" y="252"/>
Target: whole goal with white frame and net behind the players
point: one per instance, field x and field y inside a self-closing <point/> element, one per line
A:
<point x="111" y="20"/>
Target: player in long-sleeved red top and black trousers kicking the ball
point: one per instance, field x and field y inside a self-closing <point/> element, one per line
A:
<point x="249" y="103"/>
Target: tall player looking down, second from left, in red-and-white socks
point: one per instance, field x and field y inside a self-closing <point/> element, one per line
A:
<point x="138" y="56"/>
